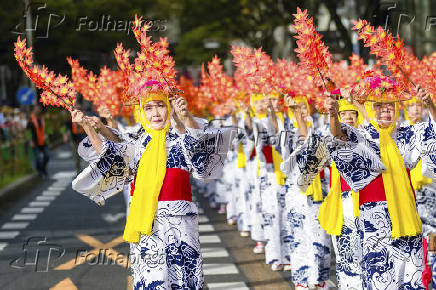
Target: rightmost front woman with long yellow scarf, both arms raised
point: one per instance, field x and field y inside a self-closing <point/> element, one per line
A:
<point x="376" y="161"/>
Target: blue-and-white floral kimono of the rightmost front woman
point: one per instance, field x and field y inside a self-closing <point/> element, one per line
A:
<point x="387" y="263"/>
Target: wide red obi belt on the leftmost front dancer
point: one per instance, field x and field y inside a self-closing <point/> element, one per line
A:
<point x="176" y="186"/>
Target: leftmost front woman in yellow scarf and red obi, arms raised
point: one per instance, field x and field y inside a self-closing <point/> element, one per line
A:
<point x="162" y="226"/>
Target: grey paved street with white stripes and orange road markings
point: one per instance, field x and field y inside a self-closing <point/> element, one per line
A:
<point x="78" y="244"/>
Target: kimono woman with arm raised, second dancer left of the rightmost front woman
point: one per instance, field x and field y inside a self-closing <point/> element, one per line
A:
<point x="304" y="156"/>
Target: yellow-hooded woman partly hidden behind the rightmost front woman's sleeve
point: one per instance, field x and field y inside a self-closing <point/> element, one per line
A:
<point x="339" y="212"/>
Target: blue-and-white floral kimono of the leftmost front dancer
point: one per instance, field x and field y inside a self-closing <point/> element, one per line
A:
<point x="170" y="257"/>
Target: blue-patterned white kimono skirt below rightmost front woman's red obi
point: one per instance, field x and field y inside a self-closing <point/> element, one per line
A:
<point x="388" y="263"/>
